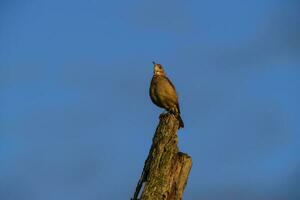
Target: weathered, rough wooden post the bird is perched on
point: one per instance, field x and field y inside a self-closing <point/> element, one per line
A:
<point x="166" y="169"/>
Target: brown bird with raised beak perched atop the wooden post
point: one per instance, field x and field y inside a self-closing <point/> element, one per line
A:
<point x="163" y="93"/>
